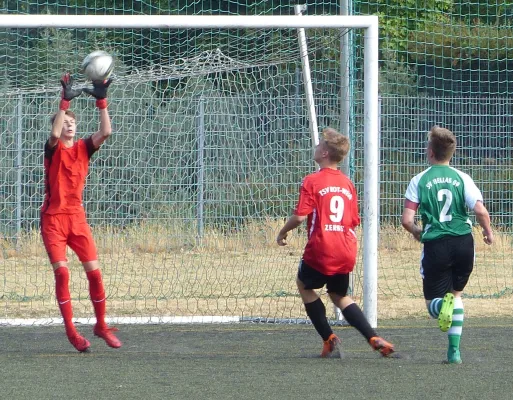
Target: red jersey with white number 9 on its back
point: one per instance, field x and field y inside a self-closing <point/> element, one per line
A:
<point x="329" y="199"/>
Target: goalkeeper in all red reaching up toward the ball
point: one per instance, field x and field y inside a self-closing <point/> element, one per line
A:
<point x="63" y="220"/>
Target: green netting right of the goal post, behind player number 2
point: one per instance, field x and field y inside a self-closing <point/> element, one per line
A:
<point x="445" y="63"/>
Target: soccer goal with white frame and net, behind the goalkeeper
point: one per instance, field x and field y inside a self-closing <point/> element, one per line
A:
<point x="210" y="142"/>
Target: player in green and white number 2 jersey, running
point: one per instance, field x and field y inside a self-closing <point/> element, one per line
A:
<point x="442" y="194"/>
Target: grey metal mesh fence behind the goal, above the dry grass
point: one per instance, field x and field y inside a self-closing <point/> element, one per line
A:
<point x="221" y="159"/>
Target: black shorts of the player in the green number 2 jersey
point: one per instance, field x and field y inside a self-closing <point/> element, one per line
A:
<point x="446" y="265"/>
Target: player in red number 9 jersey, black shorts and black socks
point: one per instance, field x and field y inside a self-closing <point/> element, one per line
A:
<point x="328" y="201"/>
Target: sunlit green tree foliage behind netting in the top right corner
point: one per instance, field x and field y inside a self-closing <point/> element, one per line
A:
<point x="444" y="32"/>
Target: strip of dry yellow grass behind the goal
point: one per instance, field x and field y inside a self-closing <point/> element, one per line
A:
<point x="163" y="270"/>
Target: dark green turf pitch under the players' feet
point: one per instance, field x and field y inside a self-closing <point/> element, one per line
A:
<point x="255" y="361"/>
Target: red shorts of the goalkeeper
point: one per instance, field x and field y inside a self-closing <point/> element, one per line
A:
<point x="61" y="230"/>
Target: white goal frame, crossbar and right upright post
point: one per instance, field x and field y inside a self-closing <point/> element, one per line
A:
<point x="370" y="26"/>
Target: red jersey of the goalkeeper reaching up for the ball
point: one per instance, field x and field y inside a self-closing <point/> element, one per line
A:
<point x="65" y="175"/>
